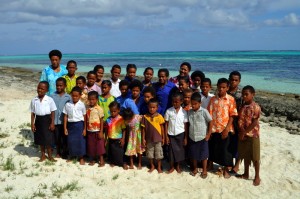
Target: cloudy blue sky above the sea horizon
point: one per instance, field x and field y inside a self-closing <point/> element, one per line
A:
<point x="99" y="26"/>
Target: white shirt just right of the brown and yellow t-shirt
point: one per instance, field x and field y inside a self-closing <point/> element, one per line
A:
<point x="176" y="120"/>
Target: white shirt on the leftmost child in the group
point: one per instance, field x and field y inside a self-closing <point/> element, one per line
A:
<point x="44" y="107"/>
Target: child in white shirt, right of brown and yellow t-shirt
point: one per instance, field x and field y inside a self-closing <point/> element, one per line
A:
<point x="176" y="132"/>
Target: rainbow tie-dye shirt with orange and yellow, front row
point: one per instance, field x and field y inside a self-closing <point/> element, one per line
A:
<point x="115" y="127"/>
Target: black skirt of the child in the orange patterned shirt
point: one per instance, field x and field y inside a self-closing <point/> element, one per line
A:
<point x="220" y="150"/>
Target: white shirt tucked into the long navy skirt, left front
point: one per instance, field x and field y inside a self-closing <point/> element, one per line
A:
<point x="75" y="112"/>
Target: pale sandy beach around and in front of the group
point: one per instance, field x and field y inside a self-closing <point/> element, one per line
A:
<point x="22" y="176"/>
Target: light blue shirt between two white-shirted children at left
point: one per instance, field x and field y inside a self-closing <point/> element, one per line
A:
<point x="60" y="102"/>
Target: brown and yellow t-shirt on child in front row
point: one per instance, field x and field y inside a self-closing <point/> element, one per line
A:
<point x="153" y="131"/>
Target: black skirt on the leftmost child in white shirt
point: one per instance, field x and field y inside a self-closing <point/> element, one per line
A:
<point x="43" y="135"/>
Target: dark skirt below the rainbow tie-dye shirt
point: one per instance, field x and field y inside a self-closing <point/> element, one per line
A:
<point x="115" y="152"/>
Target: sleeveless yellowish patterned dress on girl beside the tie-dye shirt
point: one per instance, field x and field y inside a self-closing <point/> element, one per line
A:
<point x="134" y="145"/>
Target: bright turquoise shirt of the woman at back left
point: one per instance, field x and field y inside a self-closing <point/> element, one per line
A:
<point x="49" y="75"/>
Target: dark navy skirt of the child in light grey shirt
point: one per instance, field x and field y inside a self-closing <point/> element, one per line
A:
<point x="198" y="150"/>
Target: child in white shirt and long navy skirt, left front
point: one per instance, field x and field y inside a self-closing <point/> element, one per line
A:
<point x="75" y="125"/>
